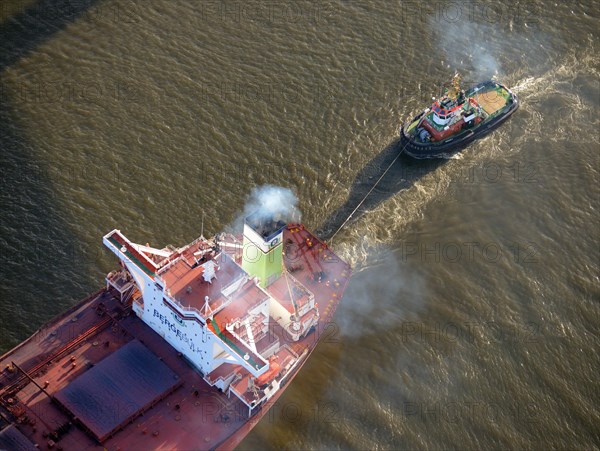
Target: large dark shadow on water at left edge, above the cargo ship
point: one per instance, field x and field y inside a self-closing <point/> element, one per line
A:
<point x="42" y="270"/>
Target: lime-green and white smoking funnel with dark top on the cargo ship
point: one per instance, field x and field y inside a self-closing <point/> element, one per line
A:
<point x="263" y="247"/>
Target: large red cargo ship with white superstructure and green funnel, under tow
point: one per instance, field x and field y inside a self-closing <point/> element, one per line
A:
<point x="185" y="348"/>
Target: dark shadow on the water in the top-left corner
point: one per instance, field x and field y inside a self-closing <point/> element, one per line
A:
<point x="25" y="31"/>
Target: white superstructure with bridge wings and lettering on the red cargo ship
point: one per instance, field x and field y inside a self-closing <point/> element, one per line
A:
<point x="211" y="310"/>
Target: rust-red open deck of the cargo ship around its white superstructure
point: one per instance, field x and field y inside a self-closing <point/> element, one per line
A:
<point x="189" y="414"/>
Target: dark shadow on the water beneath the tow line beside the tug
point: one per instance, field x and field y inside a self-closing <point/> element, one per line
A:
<point x="403" y="173"/>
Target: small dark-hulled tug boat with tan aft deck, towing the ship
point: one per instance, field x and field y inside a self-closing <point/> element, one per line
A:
<point x="457" y="118"/>
